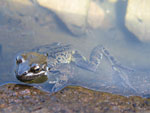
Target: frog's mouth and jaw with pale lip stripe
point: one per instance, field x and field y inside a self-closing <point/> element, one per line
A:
<point x="31" y="77"/>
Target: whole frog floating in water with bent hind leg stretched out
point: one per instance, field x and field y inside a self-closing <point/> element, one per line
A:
<point x="53" y="63"/>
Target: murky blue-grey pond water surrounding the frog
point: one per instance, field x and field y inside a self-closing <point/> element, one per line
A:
<point x="32" y="26"/>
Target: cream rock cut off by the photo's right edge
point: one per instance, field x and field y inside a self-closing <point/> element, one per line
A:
<point x="137" y="18"/>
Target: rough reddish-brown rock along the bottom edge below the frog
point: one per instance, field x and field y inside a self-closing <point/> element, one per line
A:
<point x="26" y="99"/>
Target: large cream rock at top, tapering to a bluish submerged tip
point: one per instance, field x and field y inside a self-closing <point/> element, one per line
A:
<point x="72" y="13"/>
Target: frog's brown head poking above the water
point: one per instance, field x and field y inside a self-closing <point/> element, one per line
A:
<point x="31" y="67"/>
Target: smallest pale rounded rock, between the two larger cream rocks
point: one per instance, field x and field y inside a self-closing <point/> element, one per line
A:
<point x="95" y="16"/>
